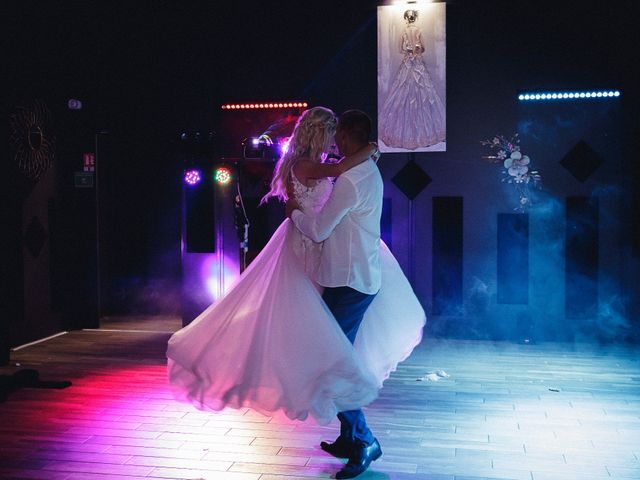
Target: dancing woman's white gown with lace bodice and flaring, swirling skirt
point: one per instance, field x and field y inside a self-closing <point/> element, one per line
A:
<point x="272" y="344"/>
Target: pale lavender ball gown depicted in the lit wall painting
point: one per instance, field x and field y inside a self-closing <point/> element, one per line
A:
<point x="413" y="115"/>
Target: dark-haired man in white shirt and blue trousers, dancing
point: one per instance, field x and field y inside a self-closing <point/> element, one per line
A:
<point x="349" y="225"/>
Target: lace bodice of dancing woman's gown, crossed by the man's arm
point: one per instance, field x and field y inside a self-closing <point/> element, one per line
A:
<point x="310" y="199"/>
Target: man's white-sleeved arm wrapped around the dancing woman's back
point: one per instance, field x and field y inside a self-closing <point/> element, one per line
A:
<point x="318" y="227"/>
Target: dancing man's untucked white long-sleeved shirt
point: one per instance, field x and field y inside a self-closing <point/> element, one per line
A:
<point x="349" y="225"/>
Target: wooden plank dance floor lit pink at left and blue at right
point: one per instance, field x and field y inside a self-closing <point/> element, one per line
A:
<point x="506" y="411"/>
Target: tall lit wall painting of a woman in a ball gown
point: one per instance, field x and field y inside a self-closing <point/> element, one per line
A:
<point x="412" y="78"/>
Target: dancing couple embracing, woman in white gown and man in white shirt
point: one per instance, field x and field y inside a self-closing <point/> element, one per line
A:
<point x="324" y="314"/>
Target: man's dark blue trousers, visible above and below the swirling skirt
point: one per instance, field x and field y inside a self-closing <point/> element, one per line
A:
<point x="348" y="306"/>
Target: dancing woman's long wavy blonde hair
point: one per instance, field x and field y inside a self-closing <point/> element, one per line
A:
<point x="309" y="140"/>
